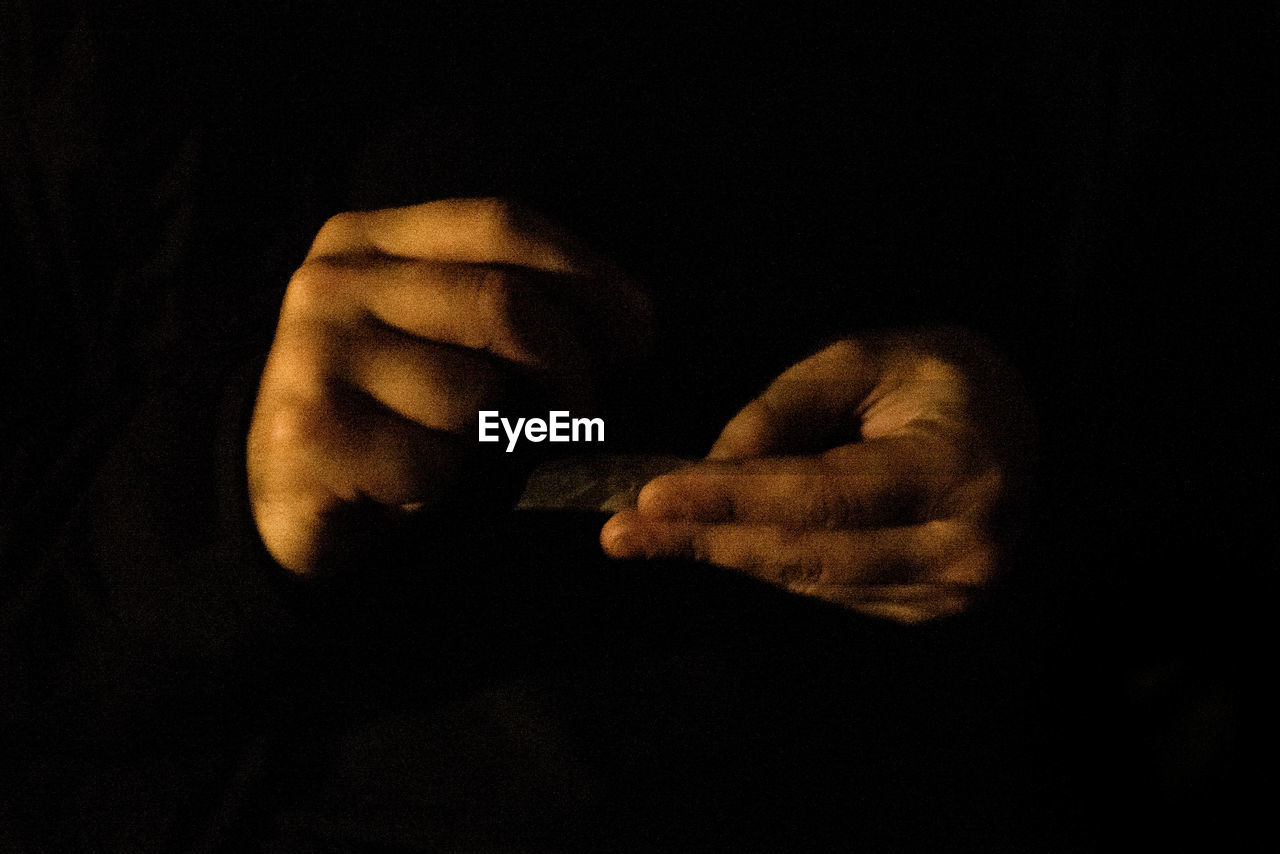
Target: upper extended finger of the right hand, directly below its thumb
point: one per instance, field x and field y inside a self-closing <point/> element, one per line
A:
<point x="885" y="482"/>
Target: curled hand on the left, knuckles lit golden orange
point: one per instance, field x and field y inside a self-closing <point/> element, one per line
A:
<point x="400" y="326"/>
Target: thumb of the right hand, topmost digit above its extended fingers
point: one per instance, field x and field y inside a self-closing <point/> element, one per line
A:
<point x="812" y="405"/>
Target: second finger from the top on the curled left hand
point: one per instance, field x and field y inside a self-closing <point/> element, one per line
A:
<point x="502" y="312"/>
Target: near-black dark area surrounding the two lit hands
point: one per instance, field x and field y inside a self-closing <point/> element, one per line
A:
<point x="1026" y="173"/>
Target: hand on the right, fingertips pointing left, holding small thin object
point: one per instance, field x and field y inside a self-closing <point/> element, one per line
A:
<point x="874" y="476"/>
